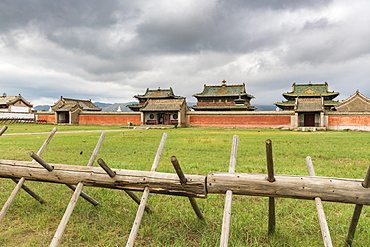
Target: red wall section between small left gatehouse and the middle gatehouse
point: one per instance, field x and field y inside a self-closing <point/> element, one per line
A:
<point x="110" y="119"/>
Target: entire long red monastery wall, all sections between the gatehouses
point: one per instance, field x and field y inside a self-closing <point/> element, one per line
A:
<point x="251" y="119"/>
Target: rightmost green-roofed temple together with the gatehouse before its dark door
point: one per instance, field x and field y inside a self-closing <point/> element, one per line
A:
<point x="309" y="102"/>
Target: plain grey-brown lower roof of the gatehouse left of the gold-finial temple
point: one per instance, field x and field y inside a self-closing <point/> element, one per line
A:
<point x="163" y="105"/>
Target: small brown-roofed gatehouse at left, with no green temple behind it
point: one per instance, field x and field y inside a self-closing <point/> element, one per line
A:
<point x="67" y="110"/>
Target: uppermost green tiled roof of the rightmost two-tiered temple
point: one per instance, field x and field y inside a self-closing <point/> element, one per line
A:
<point x="310" y="90"/>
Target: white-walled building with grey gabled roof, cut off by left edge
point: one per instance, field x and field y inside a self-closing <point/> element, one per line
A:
<point x="14" y="104"/>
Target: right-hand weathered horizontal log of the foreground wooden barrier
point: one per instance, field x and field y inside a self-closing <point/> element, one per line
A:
<point x="290" y="186"/>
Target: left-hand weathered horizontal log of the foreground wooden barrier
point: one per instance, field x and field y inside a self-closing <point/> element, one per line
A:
<point x="160" y="183"/>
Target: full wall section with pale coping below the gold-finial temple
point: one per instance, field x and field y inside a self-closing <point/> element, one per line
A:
<point x="250" y="119"/>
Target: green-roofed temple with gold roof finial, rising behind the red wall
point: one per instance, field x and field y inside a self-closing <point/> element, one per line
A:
<point x="223" y="98"/>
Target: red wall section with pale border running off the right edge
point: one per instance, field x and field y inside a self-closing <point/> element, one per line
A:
<point x="349" y="121"/>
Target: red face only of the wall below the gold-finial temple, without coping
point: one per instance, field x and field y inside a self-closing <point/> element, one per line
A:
<point x="255" y="121"/>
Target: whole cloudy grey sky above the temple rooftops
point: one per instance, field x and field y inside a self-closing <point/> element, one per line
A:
<point x="110" y="50"/>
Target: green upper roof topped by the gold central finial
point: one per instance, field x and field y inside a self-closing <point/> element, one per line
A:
<point x="223" y="90"/>
